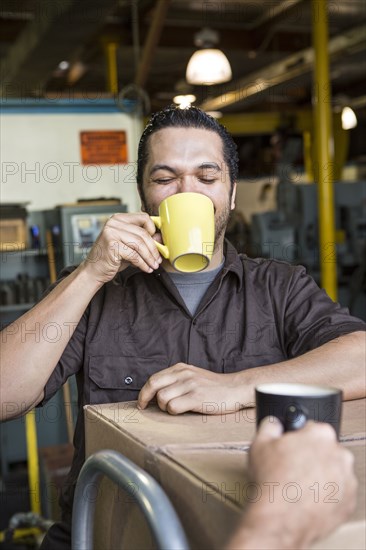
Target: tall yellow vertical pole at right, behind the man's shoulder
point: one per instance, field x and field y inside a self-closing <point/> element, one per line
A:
<point x="323" y="173"/>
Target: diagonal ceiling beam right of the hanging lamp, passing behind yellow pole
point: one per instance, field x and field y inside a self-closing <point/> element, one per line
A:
<point x="283" y="71"/>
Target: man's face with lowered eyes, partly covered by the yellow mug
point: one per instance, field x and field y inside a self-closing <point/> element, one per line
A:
<point x="185" y="160"/>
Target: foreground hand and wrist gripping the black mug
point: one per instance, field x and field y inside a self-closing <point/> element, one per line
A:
<point x="306" y="484"/>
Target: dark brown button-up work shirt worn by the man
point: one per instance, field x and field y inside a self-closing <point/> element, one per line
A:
<point x="255" y="313"/>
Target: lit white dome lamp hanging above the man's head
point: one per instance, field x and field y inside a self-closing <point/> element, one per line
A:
<point x="208" y="65"/>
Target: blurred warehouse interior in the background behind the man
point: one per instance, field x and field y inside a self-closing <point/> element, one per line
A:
<point x="79" y="82"/>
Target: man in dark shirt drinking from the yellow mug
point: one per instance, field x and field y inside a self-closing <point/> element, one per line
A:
<point x="136" y="328"/>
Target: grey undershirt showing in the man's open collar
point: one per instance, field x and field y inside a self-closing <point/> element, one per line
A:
<point x="192" y="286"/>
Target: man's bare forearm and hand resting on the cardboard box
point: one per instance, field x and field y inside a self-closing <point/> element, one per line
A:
<point x="182" y="387"/>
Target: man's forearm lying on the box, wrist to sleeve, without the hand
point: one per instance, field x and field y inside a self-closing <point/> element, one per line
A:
<point x="339" y="363"/>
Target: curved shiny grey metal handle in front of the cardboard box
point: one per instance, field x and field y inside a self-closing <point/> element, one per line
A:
<point x="154" y="503"/>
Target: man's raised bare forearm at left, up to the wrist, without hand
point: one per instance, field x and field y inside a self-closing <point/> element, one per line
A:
<point x="33" y="344"/>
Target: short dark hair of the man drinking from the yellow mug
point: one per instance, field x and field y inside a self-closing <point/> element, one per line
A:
<point x="192" y="117"/>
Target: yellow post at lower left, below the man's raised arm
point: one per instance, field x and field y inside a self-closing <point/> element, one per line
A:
<point x="33" y="466"/>
